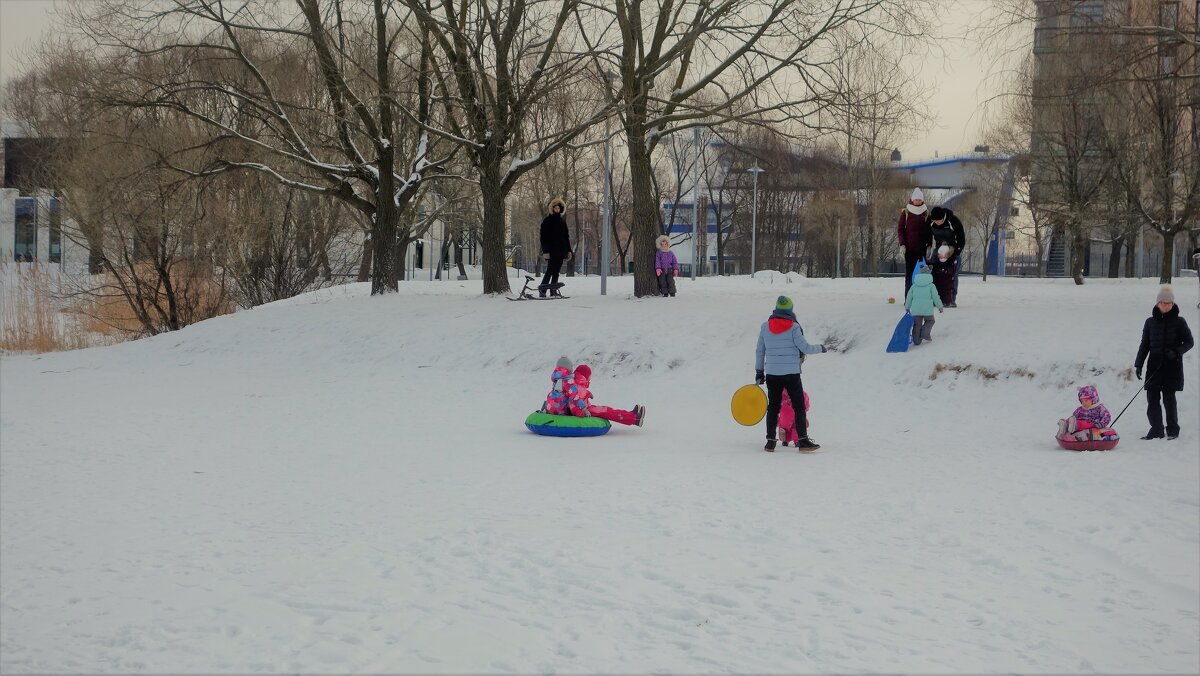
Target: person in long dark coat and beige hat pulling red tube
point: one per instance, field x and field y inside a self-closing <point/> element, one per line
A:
<point x="1165" y="339"/>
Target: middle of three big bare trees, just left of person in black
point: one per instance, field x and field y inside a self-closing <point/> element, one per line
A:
<point x="491" y="69"/>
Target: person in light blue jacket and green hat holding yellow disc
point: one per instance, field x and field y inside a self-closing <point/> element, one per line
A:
<point x="778" y="363"/>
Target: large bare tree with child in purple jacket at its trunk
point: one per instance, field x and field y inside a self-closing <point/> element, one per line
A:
<point x="703" y="62"/>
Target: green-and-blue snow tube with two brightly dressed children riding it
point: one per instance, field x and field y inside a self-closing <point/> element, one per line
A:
<point x="568" y="411"/>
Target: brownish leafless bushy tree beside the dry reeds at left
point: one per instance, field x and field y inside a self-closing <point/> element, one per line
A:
<point x="153" y="231"/>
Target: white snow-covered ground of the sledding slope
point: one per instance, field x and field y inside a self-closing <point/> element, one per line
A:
<point x="341" y="483"/>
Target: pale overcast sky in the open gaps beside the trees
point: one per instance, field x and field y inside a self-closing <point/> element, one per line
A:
<point x="957" y="85"/>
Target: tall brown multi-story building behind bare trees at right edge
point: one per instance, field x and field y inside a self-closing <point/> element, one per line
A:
<point x="1089" y="57"/>
